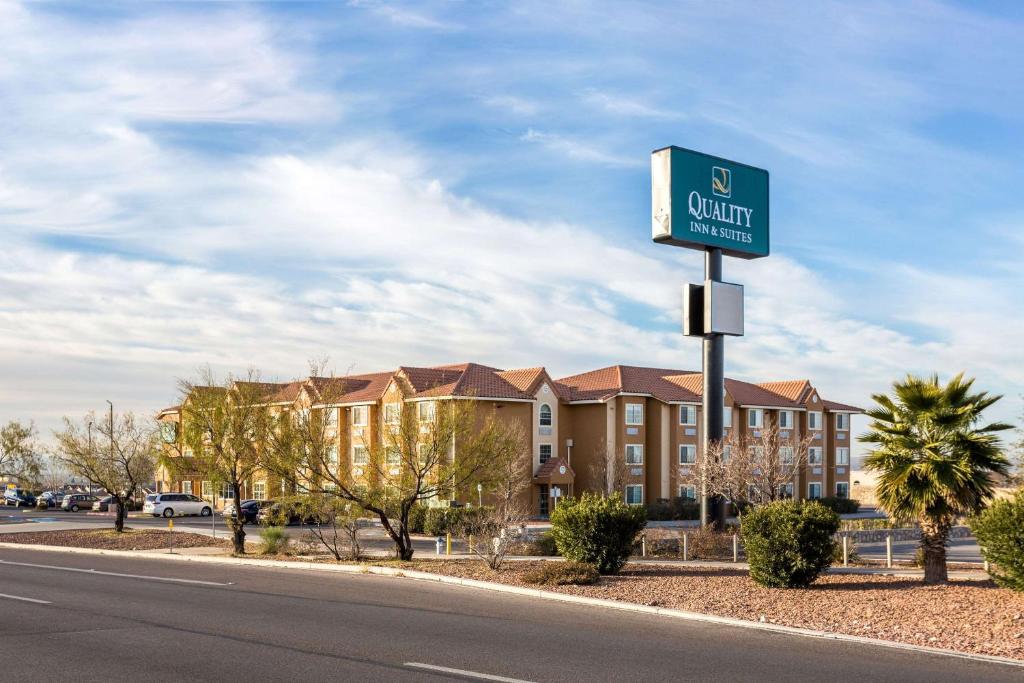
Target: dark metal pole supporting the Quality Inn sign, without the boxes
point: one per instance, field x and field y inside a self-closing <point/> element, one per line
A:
<point x="714" y="386"/>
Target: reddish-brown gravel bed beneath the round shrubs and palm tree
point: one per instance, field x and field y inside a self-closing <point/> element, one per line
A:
<point x="970" y="617"/>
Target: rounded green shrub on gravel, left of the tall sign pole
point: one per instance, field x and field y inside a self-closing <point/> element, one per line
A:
<point x="596" y="530"/>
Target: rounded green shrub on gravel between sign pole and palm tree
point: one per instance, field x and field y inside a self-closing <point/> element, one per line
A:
<point x="789" y="544"/>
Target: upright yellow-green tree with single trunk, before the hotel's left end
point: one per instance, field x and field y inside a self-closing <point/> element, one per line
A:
<point x="226" y="425"/>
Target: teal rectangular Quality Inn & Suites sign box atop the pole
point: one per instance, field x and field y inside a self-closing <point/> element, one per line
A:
<point x="705" y="202"/>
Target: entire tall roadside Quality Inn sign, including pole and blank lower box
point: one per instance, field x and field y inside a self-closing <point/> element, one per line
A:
<point x="719" y="207"/>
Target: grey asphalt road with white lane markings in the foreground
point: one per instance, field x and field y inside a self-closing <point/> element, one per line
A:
<point x="159" y="621"/>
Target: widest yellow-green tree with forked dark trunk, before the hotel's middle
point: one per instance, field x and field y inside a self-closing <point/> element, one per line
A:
<point x="423" y="454"/>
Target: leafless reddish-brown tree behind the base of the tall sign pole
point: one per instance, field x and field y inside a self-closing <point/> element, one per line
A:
<point x="750" y="469"/>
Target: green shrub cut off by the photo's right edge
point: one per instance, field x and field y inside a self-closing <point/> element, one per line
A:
<point x="1001" y="535"/>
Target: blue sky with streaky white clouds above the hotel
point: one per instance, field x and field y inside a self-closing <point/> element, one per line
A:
<point x="433" y="183"/>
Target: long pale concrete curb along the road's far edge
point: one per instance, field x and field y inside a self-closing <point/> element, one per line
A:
<point x="516" y="590"/>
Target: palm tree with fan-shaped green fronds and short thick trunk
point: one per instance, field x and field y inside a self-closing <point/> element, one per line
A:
<point x="935" y="460"/>
